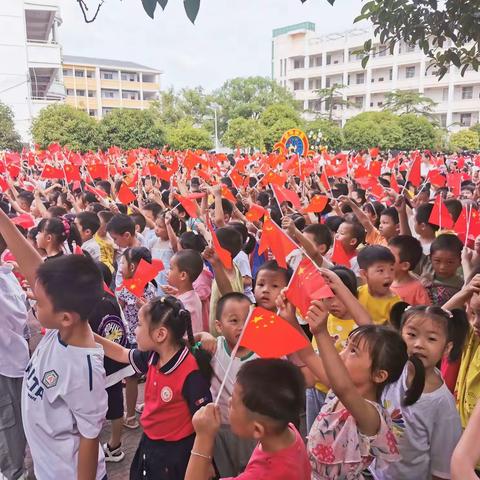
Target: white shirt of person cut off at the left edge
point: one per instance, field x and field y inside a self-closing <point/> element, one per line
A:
<point x="13" y="318"/>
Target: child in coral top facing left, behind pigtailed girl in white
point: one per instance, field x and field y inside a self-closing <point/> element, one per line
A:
<point x="407" y="251"/>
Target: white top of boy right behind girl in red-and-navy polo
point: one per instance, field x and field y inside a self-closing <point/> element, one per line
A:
<point x="219" y="363"/>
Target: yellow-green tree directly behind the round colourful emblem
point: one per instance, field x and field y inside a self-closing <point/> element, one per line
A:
<point x="276" y="120"/>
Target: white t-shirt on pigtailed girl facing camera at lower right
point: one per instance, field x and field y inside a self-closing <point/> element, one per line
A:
<point x="427" y="432"/>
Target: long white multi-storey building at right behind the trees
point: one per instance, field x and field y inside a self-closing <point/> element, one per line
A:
<point x="304" y="61"/>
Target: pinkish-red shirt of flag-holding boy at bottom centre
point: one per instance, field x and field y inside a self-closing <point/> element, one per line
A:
<point x="287" y="464"/>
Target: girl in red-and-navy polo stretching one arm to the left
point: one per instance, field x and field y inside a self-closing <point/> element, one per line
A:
<point x="176" y="387"/>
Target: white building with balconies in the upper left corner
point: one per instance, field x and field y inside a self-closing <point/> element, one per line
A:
<point x="30" y="59"/>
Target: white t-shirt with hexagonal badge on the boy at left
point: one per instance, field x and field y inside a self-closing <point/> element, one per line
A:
<point x="63" y="397"/>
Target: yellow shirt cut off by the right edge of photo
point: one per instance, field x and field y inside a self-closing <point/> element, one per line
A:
<point x="467" y="389"/>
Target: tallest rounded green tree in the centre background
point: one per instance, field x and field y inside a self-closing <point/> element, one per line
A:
<point x="248" y="98"/>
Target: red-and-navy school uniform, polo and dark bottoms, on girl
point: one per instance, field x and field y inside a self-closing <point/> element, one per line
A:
<point x="173" y="393"/>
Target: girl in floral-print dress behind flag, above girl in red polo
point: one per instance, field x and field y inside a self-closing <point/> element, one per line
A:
<point x="130" y="304"/>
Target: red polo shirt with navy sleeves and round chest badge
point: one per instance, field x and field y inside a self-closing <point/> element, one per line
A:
<point x="173" y="394"/>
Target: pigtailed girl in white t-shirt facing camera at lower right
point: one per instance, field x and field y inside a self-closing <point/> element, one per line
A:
<point x="428" y="430"/>
